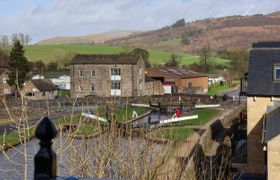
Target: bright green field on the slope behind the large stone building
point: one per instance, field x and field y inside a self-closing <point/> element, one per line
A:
<point x="46" y="53"/>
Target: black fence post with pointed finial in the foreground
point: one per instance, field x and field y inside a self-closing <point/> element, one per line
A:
<point x="45" y="160"/>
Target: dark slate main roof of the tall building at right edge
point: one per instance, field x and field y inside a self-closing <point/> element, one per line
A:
<point x="260" y="73"/>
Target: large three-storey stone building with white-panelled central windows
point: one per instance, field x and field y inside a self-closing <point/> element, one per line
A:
<point x="107" y="75"/>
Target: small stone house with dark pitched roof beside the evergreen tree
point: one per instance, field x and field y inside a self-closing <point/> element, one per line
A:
<point x="39" y="89"/>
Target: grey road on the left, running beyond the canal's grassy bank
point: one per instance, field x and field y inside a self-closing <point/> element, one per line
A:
<point x="68" y="111"/>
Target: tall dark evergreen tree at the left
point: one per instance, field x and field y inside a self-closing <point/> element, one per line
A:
<point x="18" y="64"/>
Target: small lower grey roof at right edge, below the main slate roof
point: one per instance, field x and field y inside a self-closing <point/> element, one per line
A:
<point x="272" y="126"/>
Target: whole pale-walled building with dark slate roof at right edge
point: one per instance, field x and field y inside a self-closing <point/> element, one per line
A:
<point x="263" y="102"/>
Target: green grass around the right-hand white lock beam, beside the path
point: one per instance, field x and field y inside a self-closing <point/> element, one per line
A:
<point x="204" y="115"/>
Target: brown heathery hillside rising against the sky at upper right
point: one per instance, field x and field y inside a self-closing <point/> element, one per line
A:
<point x="219" y="33"/>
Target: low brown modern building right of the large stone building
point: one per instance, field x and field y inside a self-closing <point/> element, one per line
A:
<point x="180" y="80"/>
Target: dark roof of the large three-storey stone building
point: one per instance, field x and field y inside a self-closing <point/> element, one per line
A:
<point x="104" y="59"/>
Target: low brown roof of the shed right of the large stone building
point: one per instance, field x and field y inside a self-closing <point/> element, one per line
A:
<point x="176" y="73"/>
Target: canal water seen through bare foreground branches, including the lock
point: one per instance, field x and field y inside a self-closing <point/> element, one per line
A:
<point x="83" y="157"/>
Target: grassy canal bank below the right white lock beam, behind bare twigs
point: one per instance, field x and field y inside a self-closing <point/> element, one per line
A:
<point x="175" y="134"/>
